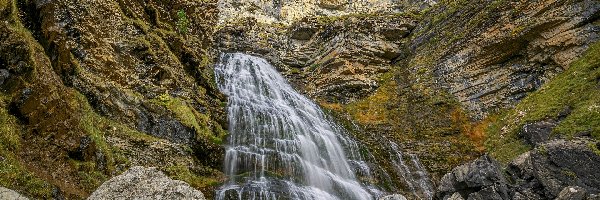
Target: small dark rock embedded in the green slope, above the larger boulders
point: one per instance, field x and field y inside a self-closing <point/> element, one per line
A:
<point x="537" y="132"/>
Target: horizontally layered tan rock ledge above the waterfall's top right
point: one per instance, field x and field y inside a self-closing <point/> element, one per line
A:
<point x="336" y="60"/>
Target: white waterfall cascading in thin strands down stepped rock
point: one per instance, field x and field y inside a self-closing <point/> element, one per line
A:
<point x="281" y="145"/>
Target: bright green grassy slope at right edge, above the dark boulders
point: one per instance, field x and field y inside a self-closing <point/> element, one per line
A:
<point x="576" y="89"/>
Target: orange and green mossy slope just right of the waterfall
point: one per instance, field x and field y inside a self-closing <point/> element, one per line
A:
<point x="423" y="119"/>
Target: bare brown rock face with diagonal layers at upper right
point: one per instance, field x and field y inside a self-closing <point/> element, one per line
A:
<point x="501" y="51"/>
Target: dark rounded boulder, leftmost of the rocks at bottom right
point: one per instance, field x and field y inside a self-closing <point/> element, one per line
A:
<point x="470" y="178"/>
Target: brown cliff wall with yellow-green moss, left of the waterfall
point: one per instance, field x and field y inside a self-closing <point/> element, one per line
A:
<point x="80" y="99"/>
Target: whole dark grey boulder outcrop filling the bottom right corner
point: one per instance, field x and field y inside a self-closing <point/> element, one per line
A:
<point x="555" y="169"/>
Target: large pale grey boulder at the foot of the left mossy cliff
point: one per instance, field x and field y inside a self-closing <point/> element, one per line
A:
<point x="145" y="183"/>
